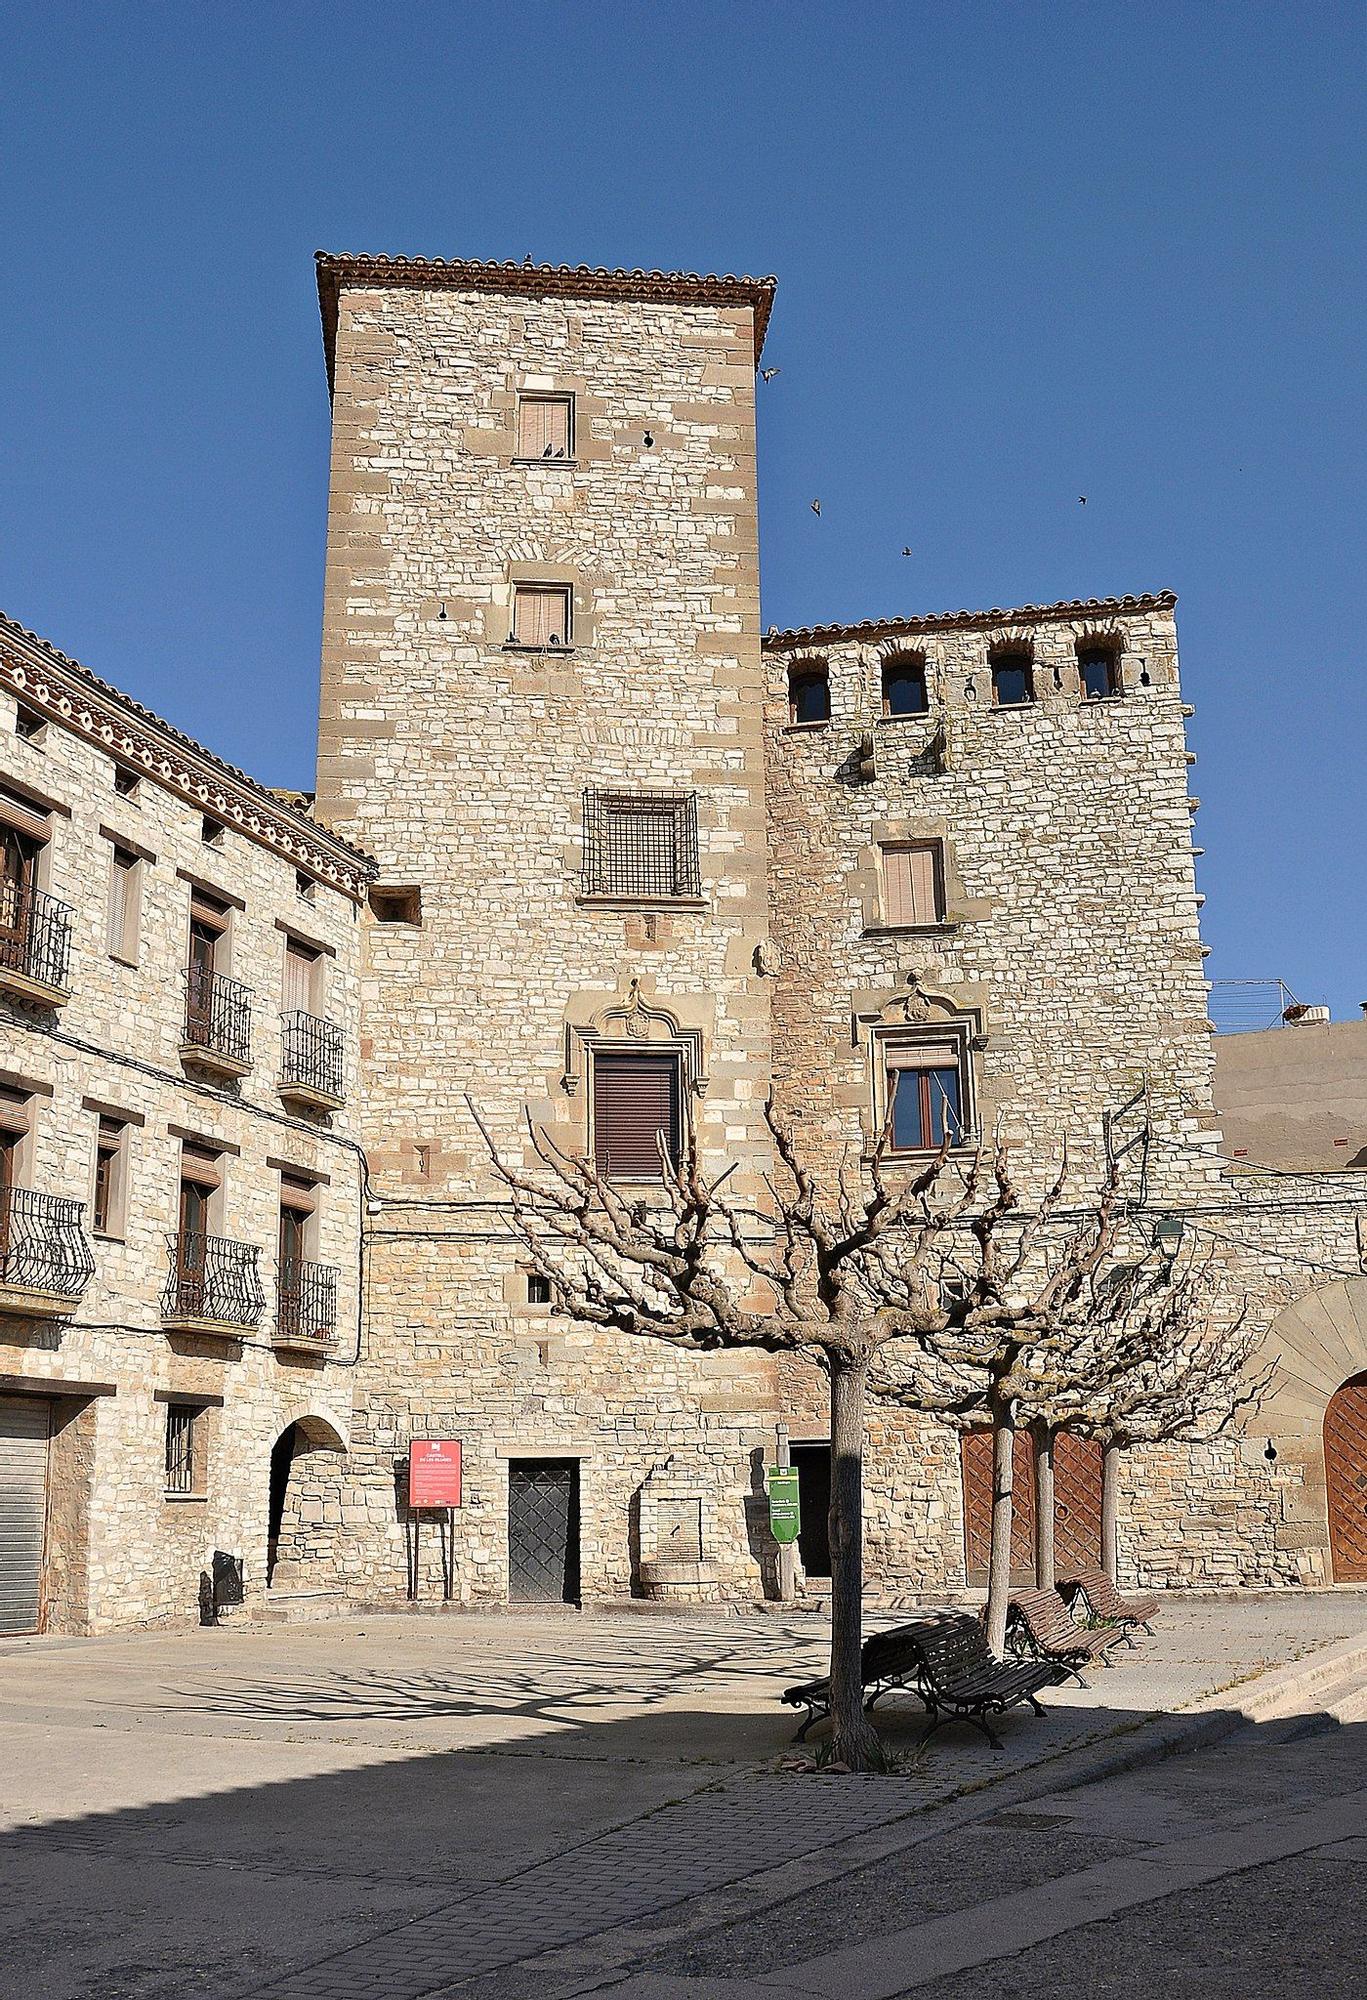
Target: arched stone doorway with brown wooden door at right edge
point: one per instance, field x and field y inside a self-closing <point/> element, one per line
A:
<point x="1316" y="1419"/>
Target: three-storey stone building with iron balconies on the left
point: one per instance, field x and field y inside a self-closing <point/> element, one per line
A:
<point x="179" y="1063"/>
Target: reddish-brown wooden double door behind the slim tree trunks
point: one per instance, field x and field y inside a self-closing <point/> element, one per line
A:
<point x="1076" y="1505"/>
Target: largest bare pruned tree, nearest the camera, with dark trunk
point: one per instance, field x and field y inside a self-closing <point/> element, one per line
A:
<point x="828" y="1271"/>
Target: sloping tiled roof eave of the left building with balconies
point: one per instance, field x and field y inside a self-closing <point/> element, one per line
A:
<point x="69" y="695"/>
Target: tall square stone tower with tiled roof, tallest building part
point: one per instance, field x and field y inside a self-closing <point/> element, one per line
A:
<point x="543" y="713"/>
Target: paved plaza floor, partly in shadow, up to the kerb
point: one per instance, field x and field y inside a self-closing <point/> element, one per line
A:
<point x="391" y="1807"/>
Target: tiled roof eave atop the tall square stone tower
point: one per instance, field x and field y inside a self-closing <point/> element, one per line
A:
<point x="545" y="281"/>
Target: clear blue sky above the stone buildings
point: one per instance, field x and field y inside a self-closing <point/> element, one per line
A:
<point x="1024" y="253"/>
